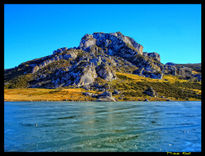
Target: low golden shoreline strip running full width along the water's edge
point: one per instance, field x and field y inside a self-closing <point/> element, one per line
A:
<point x="74" y="95"/>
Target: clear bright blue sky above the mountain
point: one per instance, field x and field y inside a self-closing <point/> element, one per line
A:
<point x="33" y="31"/>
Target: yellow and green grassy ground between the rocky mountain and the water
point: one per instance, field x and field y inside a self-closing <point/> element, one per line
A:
<point x="131" y="88"/>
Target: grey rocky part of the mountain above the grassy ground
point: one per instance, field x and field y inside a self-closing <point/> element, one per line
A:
<point x="98" y="56"/>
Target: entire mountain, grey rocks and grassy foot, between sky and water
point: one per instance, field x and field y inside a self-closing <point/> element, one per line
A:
<point x="107" y="66"/>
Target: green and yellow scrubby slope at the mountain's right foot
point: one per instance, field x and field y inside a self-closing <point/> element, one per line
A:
<point x="132" y="87"/>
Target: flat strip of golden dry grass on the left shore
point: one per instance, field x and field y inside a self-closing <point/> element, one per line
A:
<point x="37" y="94"/>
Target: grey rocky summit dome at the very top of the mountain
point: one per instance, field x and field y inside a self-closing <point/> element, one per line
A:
<point x="112" y="43"/>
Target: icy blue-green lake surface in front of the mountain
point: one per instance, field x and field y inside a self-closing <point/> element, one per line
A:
<point x="102" y="126"/>
